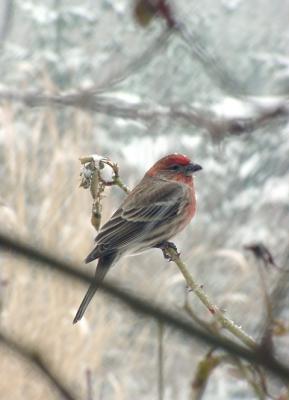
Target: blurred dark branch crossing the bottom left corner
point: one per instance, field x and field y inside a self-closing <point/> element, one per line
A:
<point x="37" y="362"/>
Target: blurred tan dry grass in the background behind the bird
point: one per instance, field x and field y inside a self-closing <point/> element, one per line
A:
<point x="40" y="201"/>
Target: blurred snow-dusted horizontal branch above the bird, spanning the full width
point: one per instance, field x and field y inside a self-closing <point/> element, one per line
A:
<point x="256" y="112"/>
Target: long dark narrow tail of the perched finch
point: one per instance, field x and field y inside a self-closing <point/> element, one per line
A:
<point x="101" y="270"/>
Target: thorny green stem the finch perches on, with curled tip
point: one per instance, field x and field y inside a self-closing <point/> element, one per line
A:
<point x="225" y="322"/>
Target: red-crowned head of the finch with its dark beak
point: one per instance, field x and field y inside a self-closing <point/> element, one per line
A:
<point x="174" y="166"/>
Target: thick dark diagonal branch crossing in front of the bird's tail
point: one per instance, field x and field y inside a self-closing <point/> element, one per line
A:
<point x="144" y="307"/>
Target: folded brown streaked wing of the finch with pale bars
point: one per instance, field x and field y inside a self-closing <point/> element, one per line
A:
<point x="138" y="215"/>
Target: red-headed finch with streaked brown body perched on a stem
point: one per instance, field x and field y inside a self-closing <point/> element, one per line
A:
<point x="160" y="206"/>
